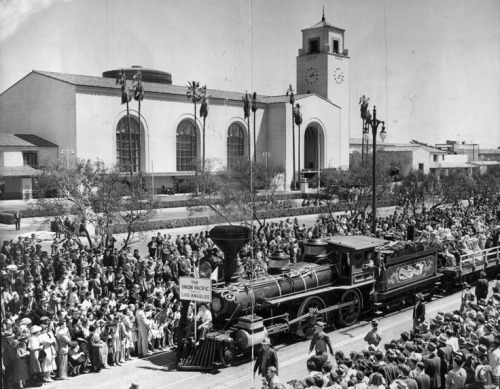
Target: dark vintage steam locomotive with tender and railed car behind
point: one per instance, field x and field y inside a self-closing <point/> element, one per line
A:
<point x="336" y="281"/>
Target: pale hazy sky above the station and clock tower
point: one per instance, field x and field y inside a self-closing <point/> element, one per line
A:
<point x="431" y="67"/>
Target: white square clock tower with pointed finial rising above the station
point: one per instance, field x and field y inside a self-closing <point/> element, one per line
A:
<point x="323" y="67"/>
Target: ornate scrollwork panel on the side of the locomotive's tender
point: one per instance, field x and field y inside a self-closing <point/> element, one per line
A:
<point x="407" y="272"/>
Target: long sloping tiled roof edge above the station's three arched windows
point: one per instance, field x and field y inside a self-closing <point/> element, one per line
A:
<point x="102" y="82"/>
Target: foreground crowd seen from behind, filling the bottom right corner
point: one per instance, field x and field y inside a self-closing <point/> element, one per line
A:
<point x="452" y="350"/>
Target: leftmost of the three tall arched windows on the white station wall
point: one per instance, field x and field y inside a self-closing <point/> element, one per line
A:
<point x="126" y="143"/>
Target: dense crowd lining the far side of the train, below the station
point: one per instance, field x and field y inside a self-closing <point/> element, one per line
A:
<point x="72" y="310"/>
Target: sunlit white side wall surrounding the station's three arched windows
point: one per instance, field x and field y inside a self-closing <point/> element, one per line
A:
<point x="98" y="116"/>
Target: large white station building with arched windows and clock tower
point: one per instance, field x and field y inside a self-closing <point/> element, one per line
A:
<point x="83" y="114"/>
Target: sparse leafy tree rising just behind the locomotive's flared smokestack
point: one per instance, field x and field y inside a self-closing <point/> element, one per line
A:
<point x="241" y="194"/>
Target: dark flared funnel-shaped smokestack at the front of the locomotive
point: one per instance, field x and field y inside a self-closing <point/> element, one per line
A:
<point x="230" y="239"/>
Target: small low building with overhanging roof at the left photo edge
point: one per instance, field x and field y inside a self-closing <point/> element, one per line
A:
<point x="21" y="157"/>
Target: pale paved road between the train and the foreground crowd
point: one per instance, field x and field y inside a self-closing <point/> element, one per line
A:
<point x="159" y="371"/>
